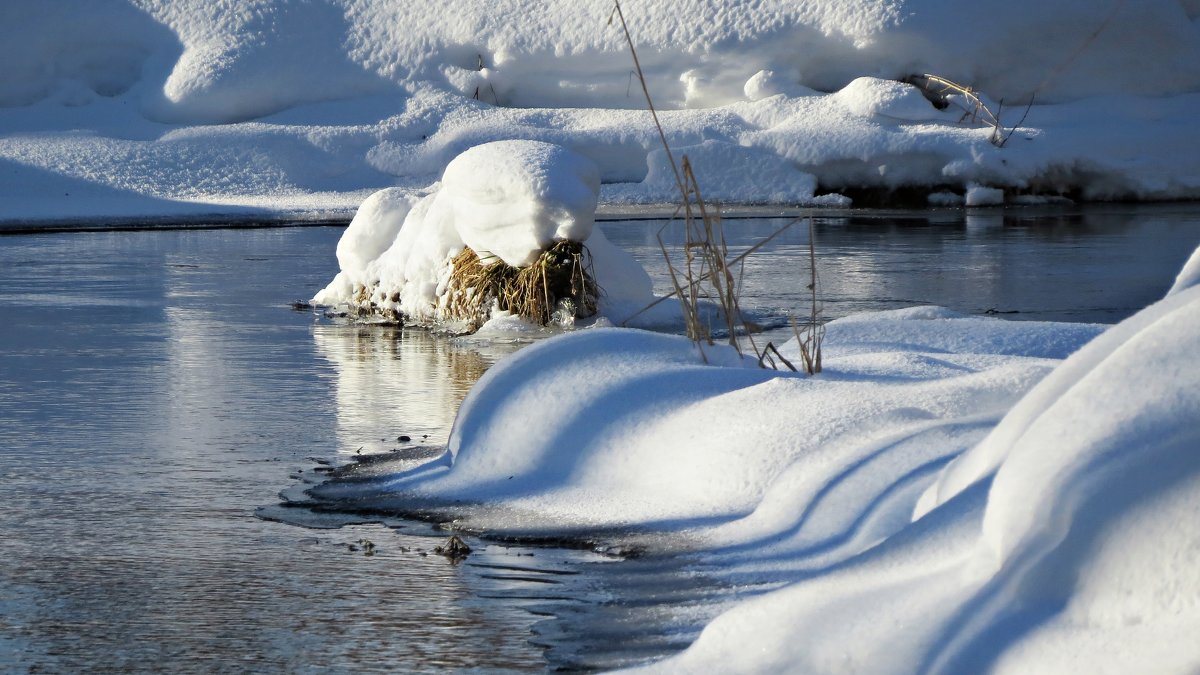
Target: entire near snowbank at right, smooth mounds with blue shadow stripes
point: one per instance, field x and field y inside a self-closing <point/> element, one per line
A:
<point x="951" y="495"/>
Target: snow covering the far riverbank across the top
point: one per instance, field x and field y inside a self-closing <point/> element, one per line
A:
<point x="269" y="109"/>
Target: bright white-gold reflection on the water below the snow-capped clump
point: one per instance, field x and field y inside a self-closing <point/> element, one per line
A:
<point x="395" y="383"/>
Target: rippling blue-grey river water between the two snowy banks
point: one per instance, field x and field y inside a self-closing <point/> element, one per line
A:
<point x="158" y="389"/>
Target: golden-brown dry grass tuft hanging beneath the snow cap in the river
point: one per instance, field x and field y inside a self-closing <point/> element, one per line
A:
<point x="561" y="280"/>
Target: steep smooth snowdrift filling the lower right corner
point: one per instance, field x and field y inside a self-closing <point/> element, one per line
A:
<point x="1066" y="542"/>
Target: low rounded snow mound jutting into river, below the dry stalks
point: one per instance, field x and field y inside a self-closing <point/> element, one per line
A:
<point x="608" y="428"/>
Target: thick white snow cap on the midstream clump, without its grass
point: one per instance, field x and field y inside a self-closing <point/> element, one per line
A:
<point x="508" y="201"/>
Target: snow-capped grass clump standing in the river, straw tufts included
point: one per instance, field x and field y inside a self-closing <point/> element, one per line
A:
<point x="507" y="205"/>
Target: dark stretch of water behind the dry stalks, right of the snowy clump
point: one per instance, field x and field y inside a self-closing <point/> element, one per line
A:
<point x="1088" y="265"/>
